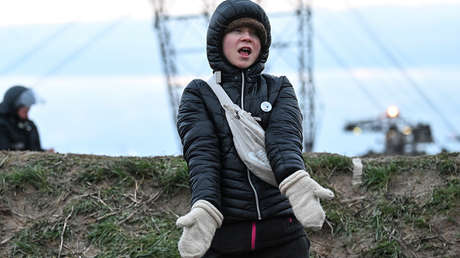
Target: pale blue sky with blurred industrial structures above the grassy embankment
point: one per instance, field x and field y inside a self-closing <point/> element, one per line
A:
<point x="377" y="76"/>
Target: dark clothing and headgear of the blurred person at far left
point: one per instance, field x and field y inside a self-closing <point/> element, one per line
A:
<point x="15" y="133"/>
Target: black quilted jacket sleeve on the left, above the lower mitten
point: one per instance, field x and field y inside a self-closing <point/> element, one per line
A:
<point x="200" y="145"/>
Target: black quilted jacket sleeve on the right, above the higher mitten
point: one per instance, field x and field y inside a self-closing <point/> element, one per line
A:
<point x="283" y="136"/>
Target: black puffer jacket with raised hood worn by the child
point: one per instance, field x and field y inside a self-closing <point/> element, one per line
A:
<point x="217" y="174"/>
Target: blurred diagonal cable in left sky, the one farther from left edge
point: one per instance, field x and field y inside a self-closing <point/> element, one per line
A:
<point x="77" y="52"/>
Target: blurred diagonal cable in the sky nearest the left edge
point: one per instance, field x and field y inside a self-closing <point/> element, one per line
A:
<point x="38" y="47"/>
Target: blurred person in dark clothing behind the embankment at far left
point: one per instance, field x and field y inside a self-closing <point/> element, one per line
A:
<point x="17" y="131"/>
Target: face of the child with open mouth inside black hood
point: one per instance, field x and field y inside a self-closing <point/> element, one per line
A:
<point x="241" y="47"/>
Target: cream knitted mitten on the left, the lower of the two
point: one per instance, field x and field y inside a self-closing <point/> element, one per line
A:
<point x="199" y="226"/>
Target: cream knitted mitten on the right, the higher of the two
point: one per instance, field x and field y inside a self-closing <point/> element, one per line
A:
<point x="304" y="193"/>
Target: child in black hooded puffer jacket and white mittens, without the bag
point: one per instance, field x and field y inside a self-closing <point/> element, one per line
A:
<point x="234" y="213"/>
